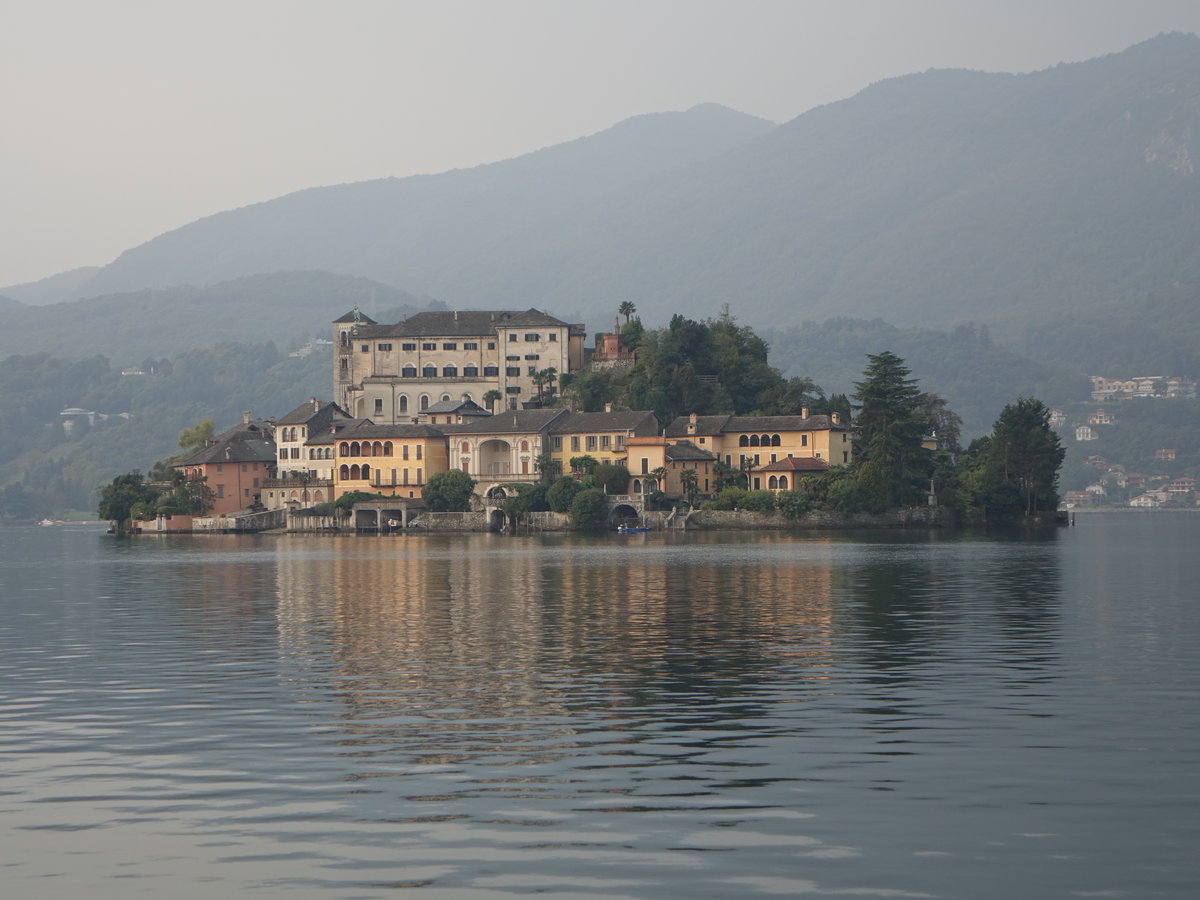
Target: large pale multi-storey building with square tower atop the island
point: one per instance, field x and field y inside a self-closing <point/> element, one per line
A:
<point x="391" y="374"/>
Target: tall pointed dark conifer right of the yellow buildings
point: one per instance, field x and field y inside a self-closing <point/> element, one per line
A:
<point x="891" y="464"/>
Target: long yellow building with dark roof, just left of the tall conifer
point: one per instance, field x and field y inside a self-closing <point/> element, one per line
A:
<point x="754" y="441"/>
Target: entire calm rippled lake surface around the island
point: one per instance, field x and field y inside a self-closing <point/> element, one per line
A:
<point x="899" y="716"/>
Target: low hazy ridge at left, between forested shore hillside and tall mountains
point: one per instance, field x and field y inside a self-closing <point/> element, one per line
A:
<point x="129" y="328"/>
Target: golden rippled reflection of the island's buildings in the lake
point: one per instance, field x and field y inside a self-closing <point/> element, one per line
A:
<point x="442" y="629"/>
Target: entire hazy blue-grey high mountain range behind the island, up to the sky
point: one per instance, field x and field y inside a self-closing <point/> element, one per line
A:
<point x="1052" y="206"/>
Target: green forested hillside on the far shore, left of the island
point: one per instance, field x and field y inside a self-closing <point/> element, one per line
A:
<point x="45" y="471"/>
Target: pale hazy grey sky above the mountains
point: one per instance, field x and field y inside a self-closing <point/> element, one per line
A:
<point x="128" y="118"/>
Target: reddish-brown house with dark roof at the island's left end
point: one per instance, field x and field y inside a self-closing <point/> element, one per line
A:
<point x="237" y="464"/>
